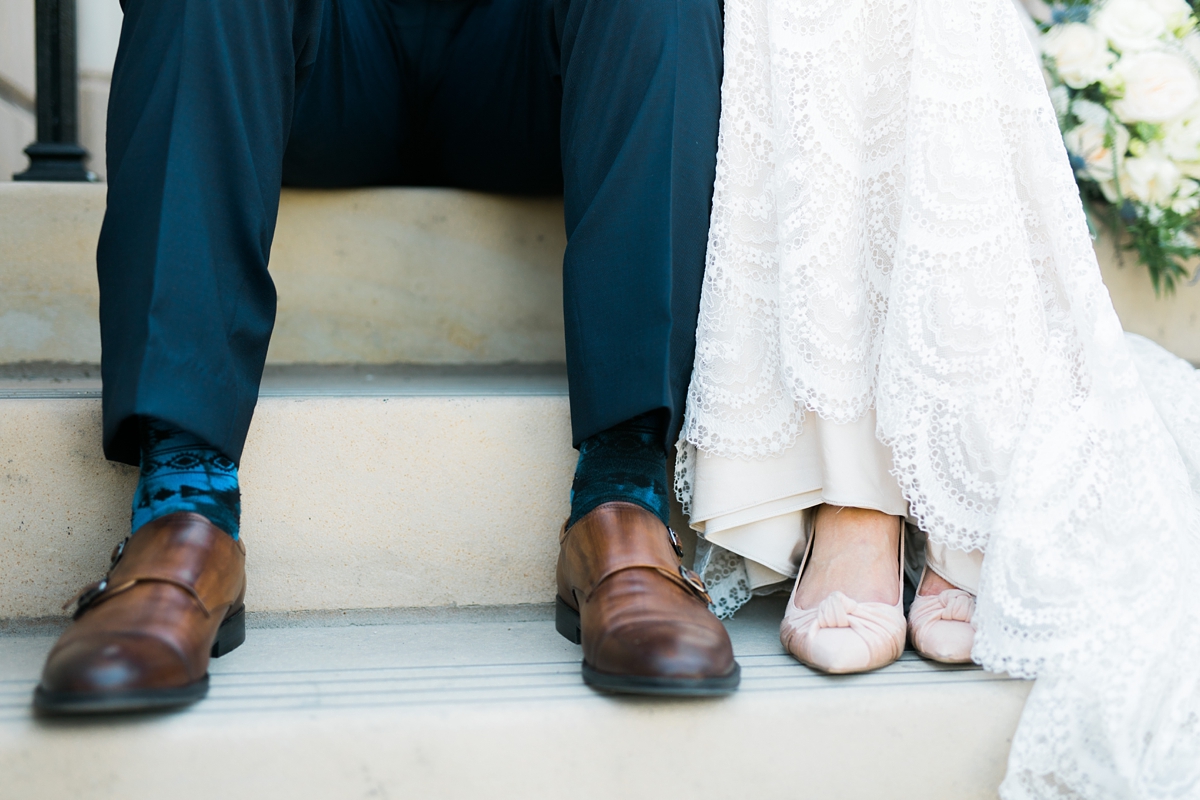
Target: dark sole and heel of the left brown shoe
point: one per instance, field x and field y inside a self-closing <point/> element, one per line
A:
<point x="231" y="635"/>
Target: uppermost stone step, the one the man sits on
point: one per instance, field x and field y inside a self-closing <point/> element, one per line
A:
<point x="364" y="276"/>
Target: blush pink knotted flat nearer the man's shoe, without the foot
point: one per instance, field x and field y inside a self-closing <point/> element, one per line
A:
<point x="841" y="635"/>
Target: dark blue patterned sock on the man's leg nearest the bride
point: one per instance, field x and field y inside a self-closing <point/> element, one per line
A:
<point x="625" y="464"/>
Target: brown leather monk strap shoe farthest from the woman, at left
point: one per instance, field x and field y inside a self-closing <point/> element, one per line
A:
<point x="143" y="636"/>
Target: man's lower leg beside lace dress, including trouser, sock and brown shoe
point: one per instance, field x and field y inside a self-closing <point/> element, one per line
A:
<point x="641" y="105"/>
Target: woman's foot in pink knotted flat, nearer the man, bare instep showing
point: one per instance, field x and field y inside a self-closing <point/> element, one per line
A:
<point x="845" y="615"/>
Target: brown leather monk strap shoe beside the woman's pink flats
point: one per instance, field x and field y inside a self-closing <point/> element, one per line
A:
<point x="641" y="617"/>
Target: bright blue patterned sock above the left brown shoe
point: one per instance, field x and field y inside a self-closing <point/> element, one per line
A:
<point x="182" y="473"/>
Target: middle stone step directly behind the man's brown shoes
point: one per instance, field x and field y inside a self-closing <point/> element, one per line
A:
<point x="363" y="488"/>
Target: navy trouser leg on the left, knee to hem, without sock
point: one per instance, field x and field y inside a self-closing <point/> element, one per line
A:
<point x="202" y="100"/>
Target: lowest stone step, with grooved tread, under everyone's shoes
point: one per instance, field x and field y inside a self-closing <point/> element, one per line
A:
<point x="489" y="703"/>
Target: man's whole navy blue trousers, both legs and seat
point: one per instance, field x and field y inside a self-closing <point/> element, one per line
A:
<point x="217" y="104"/>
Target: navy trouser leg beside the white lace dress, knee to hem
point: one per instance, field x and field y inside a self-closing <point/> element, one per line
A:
<point x="641" y="105"/>
